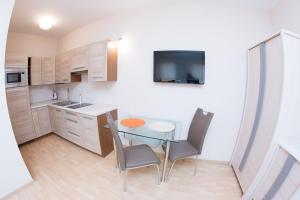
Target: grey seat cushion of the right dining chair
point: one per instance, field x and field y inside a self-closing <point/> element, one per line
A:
<point x="180" y="150"/>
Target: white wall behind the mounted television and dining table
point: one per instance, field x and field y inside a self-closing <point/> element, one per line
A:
<point x="223" y="31"/>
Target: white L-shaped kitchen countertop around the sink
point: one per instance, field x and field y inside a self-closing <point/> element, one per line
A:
<point x="93" y="110"/>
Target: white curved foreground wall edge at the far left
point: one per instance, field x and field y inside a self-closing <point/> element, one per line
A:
<point x="13" y="172"/>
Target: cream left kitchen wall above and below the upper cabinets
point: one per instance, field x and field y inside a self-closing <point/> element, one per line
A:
<point x="33" y="45"/>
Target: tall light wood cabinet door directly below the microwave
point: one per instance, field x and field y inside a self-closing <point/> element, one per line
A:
<point x="22" y="122"/>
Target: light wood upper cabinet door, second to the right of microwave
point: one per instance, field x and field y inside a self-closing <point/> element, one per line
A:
<point x="48" y="70"/>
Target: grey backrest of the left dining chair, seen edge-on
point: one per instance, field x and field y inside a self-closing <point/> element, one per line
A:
<point x="118" y="143"/>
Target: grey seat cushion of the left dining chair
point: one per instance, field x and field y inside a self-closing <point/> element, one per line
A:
<point x="140" y="155"/>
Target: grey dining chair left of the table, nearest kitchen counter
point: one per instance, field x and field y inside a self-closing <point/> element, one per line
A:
<point x="131" y="157"/>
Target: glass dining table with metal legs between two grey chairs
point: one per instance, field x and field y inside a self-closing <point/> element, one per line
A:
<point x="154" y="132"/>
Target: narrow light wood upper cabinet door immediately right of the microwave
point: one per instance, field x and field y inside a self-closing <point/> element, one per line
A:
<point x="36" y="71"/>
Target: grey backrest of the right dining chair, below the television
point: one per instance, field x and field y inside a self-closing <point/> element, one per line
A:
<point x="198" y="128"/>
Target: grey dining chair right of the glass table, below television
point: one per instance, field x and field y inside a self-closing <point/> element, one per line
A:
<point x="194" y="143"/>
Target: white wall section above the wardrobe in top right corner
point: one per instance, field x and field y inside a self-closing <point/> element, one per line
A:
<point x="286" y="15"/>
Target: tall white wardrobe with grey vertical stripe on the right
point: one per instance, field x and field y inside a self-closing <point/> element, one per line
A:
<point x="271" y="107"/>
